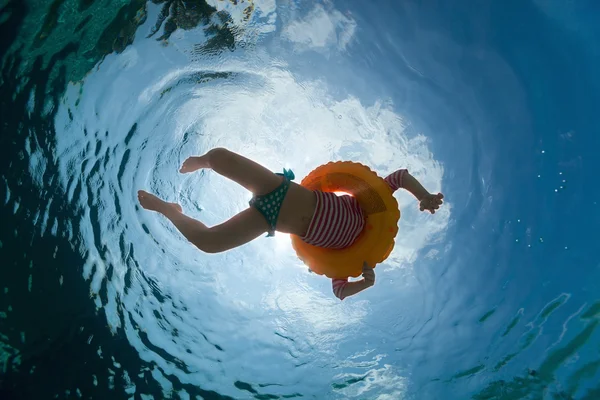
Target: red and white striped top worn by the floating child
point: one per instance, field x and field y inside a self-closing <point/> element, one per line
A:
<point x="338" y="220"/>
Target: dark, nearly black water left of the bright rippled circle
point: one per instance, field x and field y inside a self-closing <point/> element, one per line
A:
<point x="63" y="343"/>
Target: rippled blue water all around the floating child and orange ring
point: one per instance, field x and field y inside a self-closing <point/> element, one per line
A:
<point x="492" y="102"/>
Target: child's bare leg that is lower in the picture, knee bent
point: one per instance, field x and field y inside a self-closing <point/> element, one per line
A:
<point x="241" y="229"/>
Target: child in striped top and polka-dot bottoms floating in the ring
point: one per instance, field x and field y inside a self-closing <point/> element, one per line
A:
<point x="318" y="218"/>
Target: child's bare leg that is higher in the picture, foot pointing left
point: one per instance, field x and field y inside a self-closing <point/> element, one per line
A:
<point x="251" y="175"/>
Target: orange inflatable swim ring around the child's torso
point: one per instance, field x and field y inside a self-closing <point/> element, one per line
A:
<point x="376" y="241"/>
